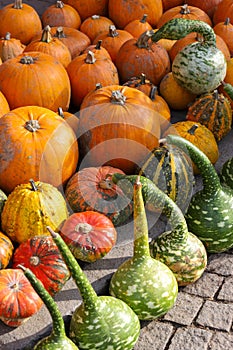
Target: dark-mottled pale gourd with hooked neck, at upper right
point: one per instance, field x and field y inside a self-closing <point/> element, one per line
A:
<point x="199" y="67"/>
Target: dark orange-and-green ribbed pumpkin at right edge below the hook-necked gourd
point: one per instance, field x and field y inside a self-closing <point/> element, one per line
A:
<point x="214" y="111"/>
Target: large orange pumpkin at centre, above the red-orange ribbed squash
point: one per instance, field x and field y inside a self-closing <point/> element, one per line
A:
<point x="118" y="127"/>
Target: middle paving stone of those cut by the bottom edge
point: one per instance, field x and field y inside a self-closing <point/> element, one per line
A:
<point x="190" y="339"/>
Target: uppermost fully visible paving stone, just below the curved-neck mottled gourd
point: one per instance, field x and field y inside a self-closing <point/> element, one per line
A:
<point x="206" y="286"/>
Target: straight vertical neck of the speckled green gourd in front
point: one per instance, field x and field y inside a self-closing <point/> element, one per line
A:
<point x="141" y="242"/>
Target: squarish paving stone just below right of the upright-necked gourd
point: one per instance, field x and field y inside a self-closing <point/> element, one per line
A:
<point x="185" y="309"/>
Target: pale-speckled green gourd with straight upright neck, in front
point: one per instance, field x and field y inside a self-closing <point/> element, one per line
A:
<point x="147" y="285"/>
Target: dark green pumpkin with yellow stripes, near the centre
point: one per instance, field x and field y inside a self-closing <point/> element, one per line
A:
<point x="169" y="168"/>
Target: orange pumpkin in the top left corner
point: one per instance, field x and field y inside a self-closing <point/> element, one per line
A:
<point x="21" y="20"/>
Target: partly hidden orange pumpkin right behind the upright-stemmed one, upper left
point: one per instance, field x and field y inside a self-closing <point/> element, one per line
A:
<point x="74" y="39"/>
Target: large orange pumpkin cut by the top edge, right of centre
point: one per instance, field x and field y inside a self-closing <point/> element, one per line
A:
<point x="122" y="12"/>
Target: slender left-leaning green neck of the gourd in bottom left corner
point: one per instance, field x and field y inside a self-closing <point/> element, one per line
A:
<point x="58" y="322"/>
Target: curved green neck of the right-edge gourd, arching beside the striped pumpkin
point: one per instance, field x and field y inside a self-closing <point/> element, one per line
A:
<point x="211" y="181"/>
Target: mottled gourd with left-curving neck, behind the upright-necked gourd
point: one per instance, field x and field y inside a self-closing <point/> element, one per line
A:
<point x="178" y="248"/>
